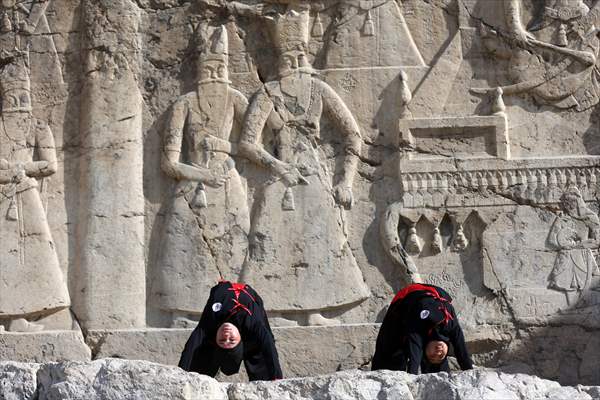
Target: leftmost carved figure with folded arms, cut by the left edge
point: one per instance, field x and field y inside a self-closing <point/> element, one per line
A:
<point x="31" y="281"/>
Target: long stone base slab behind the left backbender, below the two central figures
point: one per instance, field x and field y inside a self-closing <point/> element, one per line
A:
<point x="331" y="348"/>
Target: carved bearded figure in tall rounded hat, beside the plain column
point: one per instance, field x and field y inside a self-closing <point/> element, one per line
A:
<point x="207" y="223"/>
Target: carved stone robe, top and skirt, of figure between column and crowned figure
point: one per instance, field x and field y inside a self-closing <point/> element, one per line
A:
<point x="205" y="236"/>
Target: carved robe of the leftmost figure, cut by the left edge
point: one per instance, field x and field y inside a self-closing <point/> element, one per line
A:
<point x="28" y="259"/>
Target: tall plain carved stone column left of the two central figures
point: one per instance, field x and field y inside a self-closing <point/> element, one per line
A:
<point x="110" y="281"/>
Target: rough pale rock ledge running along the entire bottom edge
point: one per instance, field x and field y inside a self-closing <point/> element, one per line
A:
<point x="113" y="379"/>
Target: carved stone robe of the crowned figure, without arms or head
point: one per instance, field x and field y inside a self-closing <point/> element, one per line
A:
<point x="300" y="259"/>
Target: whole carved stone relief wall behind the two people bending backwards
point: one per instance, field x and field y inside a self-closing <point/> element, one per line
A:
<point x="326" y="152"/>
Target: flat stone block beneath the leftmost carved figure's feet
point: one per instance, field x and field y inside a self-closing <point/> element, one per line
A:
<point x="44" y="346"/>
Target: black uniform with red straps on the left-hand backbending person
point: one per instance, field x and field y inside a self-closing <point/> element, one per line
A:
<point x="241" y="306"/>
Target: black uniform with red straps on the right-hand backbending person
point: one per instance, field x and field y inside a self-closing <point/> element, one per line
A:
<point x="419" y="314"/>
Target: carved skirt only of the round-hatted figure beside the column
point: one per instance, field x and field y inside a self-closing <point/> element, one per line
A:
<point x="201" y="245"/>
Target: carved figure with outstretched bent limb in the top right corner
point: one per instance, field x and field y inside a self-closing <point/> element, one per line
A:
<point x="555" y="56"/>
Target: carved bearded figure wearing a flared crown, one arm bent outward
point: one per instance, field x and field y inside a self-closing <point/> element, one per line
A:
<point x="299" y="254"/>
